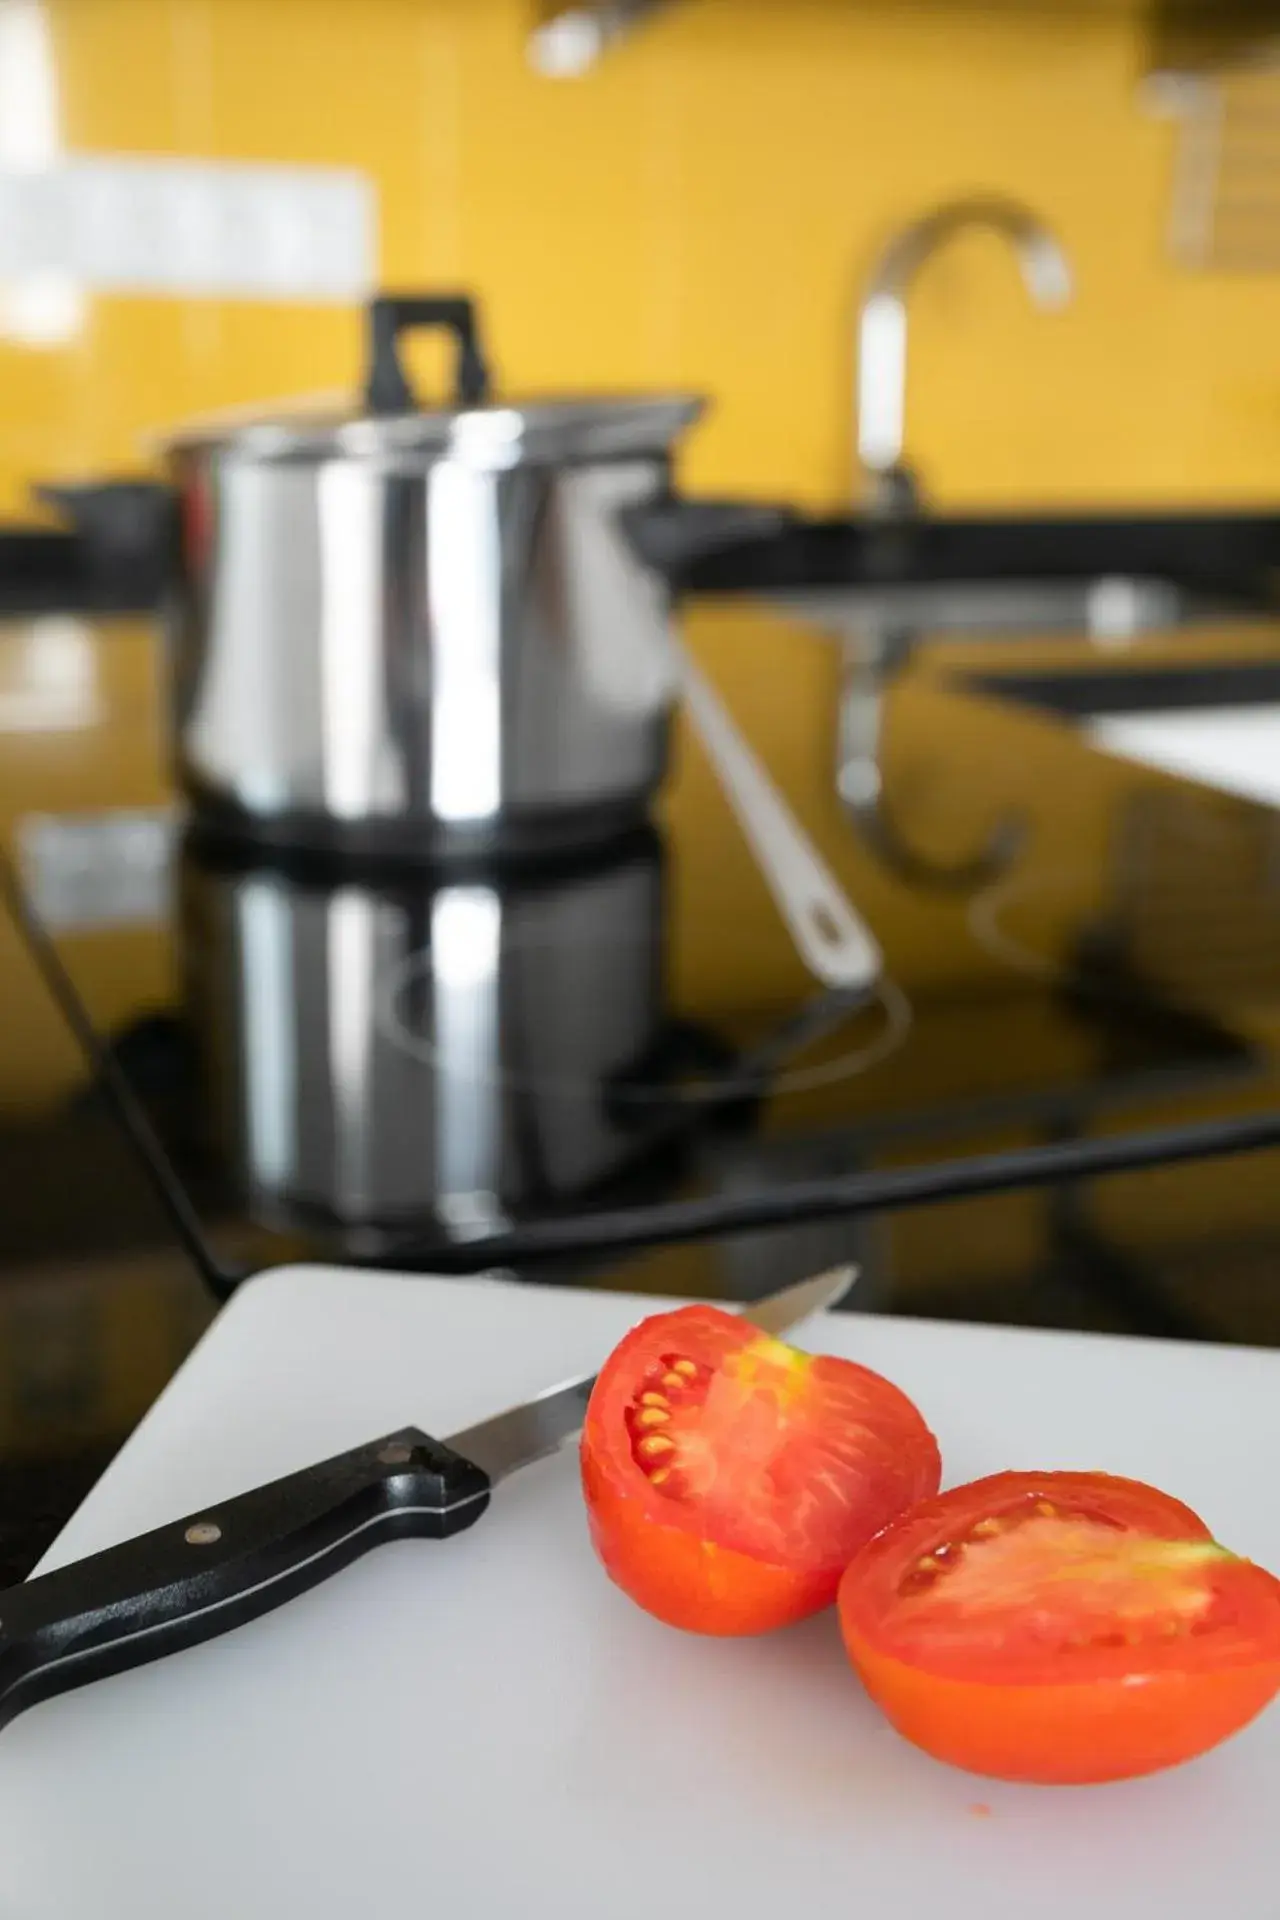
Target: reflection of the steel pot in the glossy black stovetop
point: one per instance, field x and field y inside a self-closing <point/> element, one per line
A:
<point x="433" y="1057"/>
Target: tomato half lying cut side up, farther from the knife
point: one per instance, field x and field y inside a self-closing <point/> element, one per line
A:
<point x="1060" y="1627"/>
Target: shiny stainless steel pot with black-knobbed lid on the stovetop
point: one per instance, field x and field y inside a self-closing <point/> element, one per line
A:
<point x="429" y="629"/>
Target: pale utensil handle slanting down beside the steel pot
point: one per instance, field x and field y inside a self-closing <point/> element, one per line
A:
<point x="834" y="942"/>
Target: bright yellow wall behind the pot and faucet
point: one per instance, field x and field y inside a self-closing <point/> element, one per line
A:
<point x="698" y="212"/>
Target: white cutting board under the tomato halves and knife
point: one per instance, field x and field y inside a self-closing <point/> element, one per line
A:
<point x="486" y="1729"/>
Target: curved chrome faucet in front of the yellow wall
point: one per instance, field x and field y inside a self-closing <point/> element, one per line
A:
<point x="882" y="327"/>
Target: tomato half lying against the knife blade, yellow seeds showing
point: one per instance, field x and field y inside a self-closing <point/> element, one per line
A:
<point x="730" y="1477"/>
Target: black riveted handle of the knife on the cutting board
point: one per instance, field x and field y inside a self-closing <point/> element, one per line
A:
<point x="229" y="1564"/>
